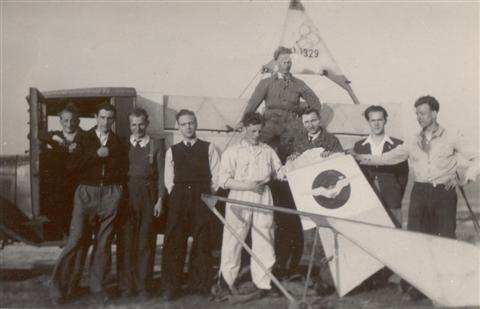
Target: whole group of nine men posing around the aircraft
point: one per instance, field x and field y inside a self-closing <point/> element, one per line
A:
<point x="143" y="172"/>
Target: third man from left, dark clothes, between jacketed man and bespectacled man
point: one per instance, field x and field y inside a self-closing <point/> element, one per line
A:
<point x="136" y="237"/>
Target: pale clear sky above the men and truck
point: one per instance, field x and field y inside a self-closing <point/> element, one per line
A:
<point x="393" y="52"/>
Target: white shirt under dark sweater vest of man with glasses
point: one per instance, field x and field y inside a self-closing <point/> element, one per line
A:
<point x="213" y="159"/>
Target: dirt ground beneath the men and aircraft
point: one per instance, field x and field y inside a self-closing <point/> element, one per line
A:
<point x="25" y="274"/>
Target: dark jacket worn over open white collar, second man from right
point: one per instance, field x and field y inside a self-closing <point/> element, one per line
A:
<point x="392" y="179"/>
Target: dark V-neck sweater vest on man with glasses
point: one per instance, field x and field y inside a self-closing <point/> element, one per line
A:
<point x="191" y="164"/>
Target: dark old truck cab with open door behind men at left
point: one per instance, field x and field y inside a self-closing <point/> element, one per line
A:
<point x="31" y="184"/>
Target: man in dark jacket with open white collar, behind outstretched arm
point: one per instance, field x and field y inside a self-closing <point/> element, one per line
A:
<point x="389" y="182"/>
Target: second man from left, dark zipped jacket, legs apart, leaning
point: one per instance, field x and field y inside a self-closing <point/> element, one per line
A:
<point x="100" y="164"/>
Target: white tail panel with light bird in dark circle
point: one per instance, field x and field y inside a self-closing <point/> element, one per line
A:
<point x="336" y="187"/>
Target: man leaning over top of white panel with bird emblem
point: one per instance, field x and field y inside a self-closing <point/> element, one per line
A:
<point x="312" y="136"/>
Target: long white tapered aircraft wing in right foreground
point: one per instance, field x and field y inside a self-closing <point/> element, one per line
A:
<point x="445" y="270"/>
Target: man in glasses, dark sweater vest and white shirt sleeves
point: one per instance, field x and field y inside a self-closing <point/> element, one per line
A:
<point x="191" y="168"/>
